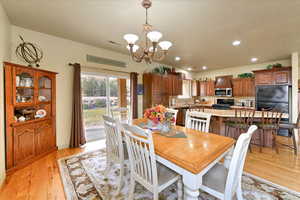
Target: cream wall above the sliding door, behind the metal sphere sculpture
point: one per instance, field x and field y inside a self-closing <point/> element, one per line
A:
<point x="58" y="52"/>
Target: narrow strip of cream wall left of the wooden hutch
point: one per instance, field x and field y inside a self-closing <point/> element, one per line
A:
<point x="5" y="33"/>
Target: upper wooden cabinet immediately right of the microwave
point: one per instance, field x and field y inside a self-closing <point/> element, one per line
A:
<point x="243" y="87"/>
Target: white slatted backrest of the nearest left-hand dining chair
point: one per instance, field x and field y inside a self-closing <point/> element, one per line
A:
<point x="141" y="154"/>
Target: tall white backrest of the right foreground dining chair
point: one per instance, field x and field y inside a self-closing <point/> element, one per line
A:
<point x="237" y="162"/>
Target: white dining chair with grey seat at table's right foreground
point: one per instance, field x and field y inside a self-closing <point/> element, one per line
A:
<point x="225" y="183"/>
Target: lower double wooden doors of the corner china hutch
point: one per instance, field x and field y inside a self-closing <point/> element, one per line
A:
<point x="32" y="140"/>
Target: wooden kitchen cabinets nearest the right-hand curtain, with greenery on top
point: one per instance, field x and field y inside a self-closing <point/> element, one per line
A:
<point x="158" y="88"/>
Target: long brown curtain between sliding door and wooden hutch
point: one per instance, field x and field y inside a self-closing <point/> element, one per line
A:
<point x="77" y="130"/>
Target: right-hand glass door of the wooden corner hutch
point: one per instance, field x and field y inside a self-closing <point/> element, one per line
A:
<point x="44" y="88"/>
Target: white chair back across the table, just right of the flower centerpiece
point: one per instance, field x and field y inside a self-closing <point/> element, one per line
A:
<point x="199" y="121"/>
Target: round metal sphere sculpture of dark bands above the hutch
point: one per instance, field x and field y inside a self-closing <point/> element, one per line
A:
<point x="29" y="53"/>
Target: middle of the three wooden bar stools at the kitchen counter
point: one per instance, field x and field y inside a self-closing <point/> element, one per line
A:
<point x="269" y="122"/>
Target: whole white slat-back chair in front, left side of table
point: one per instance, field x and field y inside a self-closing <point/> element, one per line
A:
<point x="143" y="166"/>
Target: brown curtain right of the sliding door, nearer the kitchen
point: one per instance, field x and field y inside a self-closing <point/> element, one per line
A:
<point x="133" y="94"/>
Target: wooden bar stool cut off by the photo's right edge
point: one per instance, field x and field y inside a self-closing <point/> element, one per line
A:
<point x="295" y="135"/>
